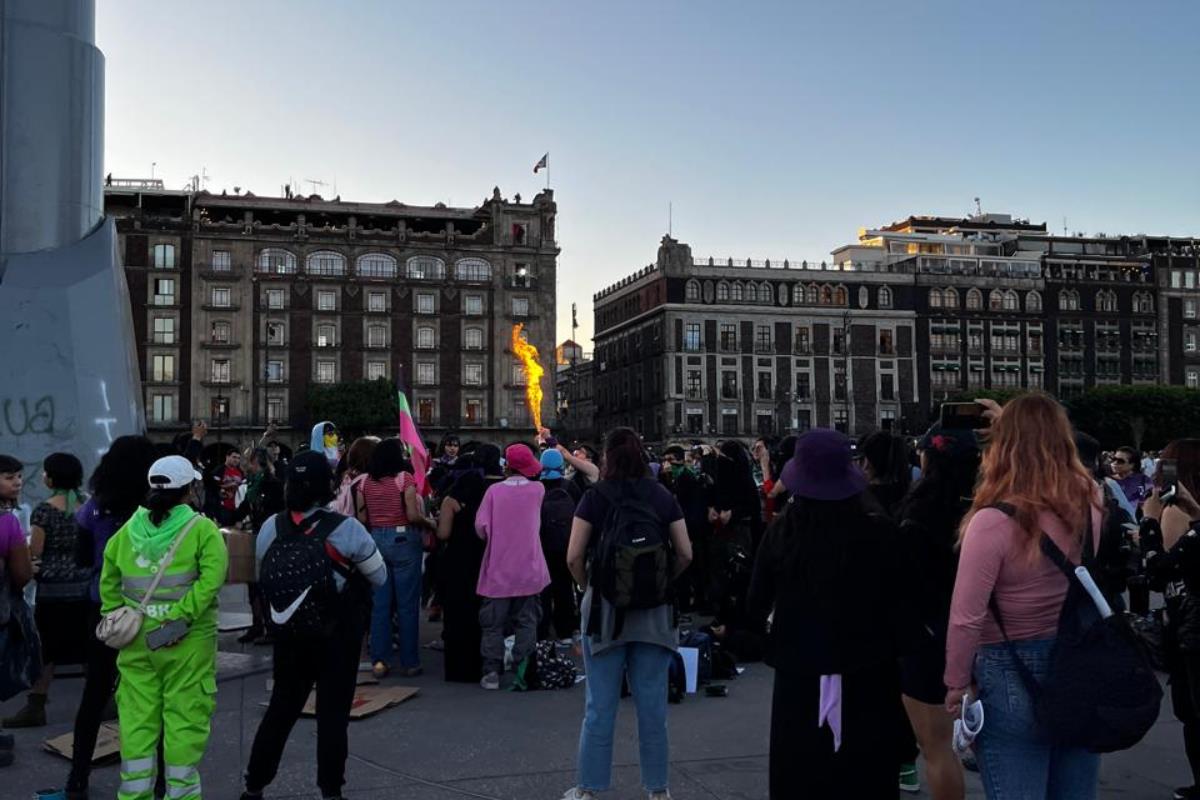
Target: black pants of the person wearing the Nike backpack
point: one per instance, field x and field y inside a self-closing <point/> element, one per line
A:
<point x="329" y="665"/>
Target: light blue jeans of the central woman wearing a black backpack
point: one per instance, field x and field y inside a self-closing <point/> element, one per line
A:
<point x="647" y="667"/>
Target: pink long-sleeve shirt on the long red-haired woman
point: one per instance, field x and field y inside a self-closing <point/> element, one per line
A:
<point x="1030" y="594"/>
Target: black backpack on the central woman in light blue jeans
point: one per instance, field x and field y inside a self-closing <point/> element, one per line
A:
<point x="633" y="560"/>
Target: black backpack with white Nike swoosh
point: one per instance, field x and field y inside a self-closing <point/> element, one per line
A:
<point x="297" y="579"/>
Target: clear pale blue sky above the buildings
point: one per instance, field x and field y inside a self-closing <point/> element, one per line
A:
<point x="777" y="130"/>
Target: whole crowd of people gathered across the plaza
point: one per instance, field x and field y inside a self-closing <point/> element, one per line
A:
<point x="895" y="586"/>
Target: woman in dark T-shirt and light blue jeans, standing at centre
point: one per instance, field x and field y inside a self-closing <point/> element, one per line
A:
<point x="634" y="645"/>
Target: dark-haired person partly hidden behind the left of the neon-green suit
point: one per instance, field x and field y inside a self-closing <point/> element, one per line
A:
<point x="118" y="488"/>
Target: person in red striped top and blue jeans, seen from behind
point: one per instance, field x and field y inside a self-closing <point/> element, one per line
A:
<point x="391" y="509"/>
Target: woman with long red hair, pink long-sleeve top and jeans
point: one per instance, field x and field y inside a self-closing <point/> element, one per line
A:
<point x="1031" y="467"/>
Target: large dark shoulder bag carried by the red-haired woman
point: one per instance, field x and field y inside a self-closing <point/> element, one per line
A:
<point x="1100" y="691"/>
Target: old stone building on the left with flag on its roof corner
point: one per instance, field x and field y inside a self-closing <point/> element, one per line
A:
<point x="243" y="303"/>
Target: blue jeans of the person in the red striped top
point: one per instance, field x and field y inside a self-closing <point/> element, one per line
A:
<point x="401" y="551"/>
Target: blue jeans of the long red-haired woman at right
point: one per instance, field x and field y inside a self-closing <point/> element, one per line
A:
<point x="1015" y="759"/>
